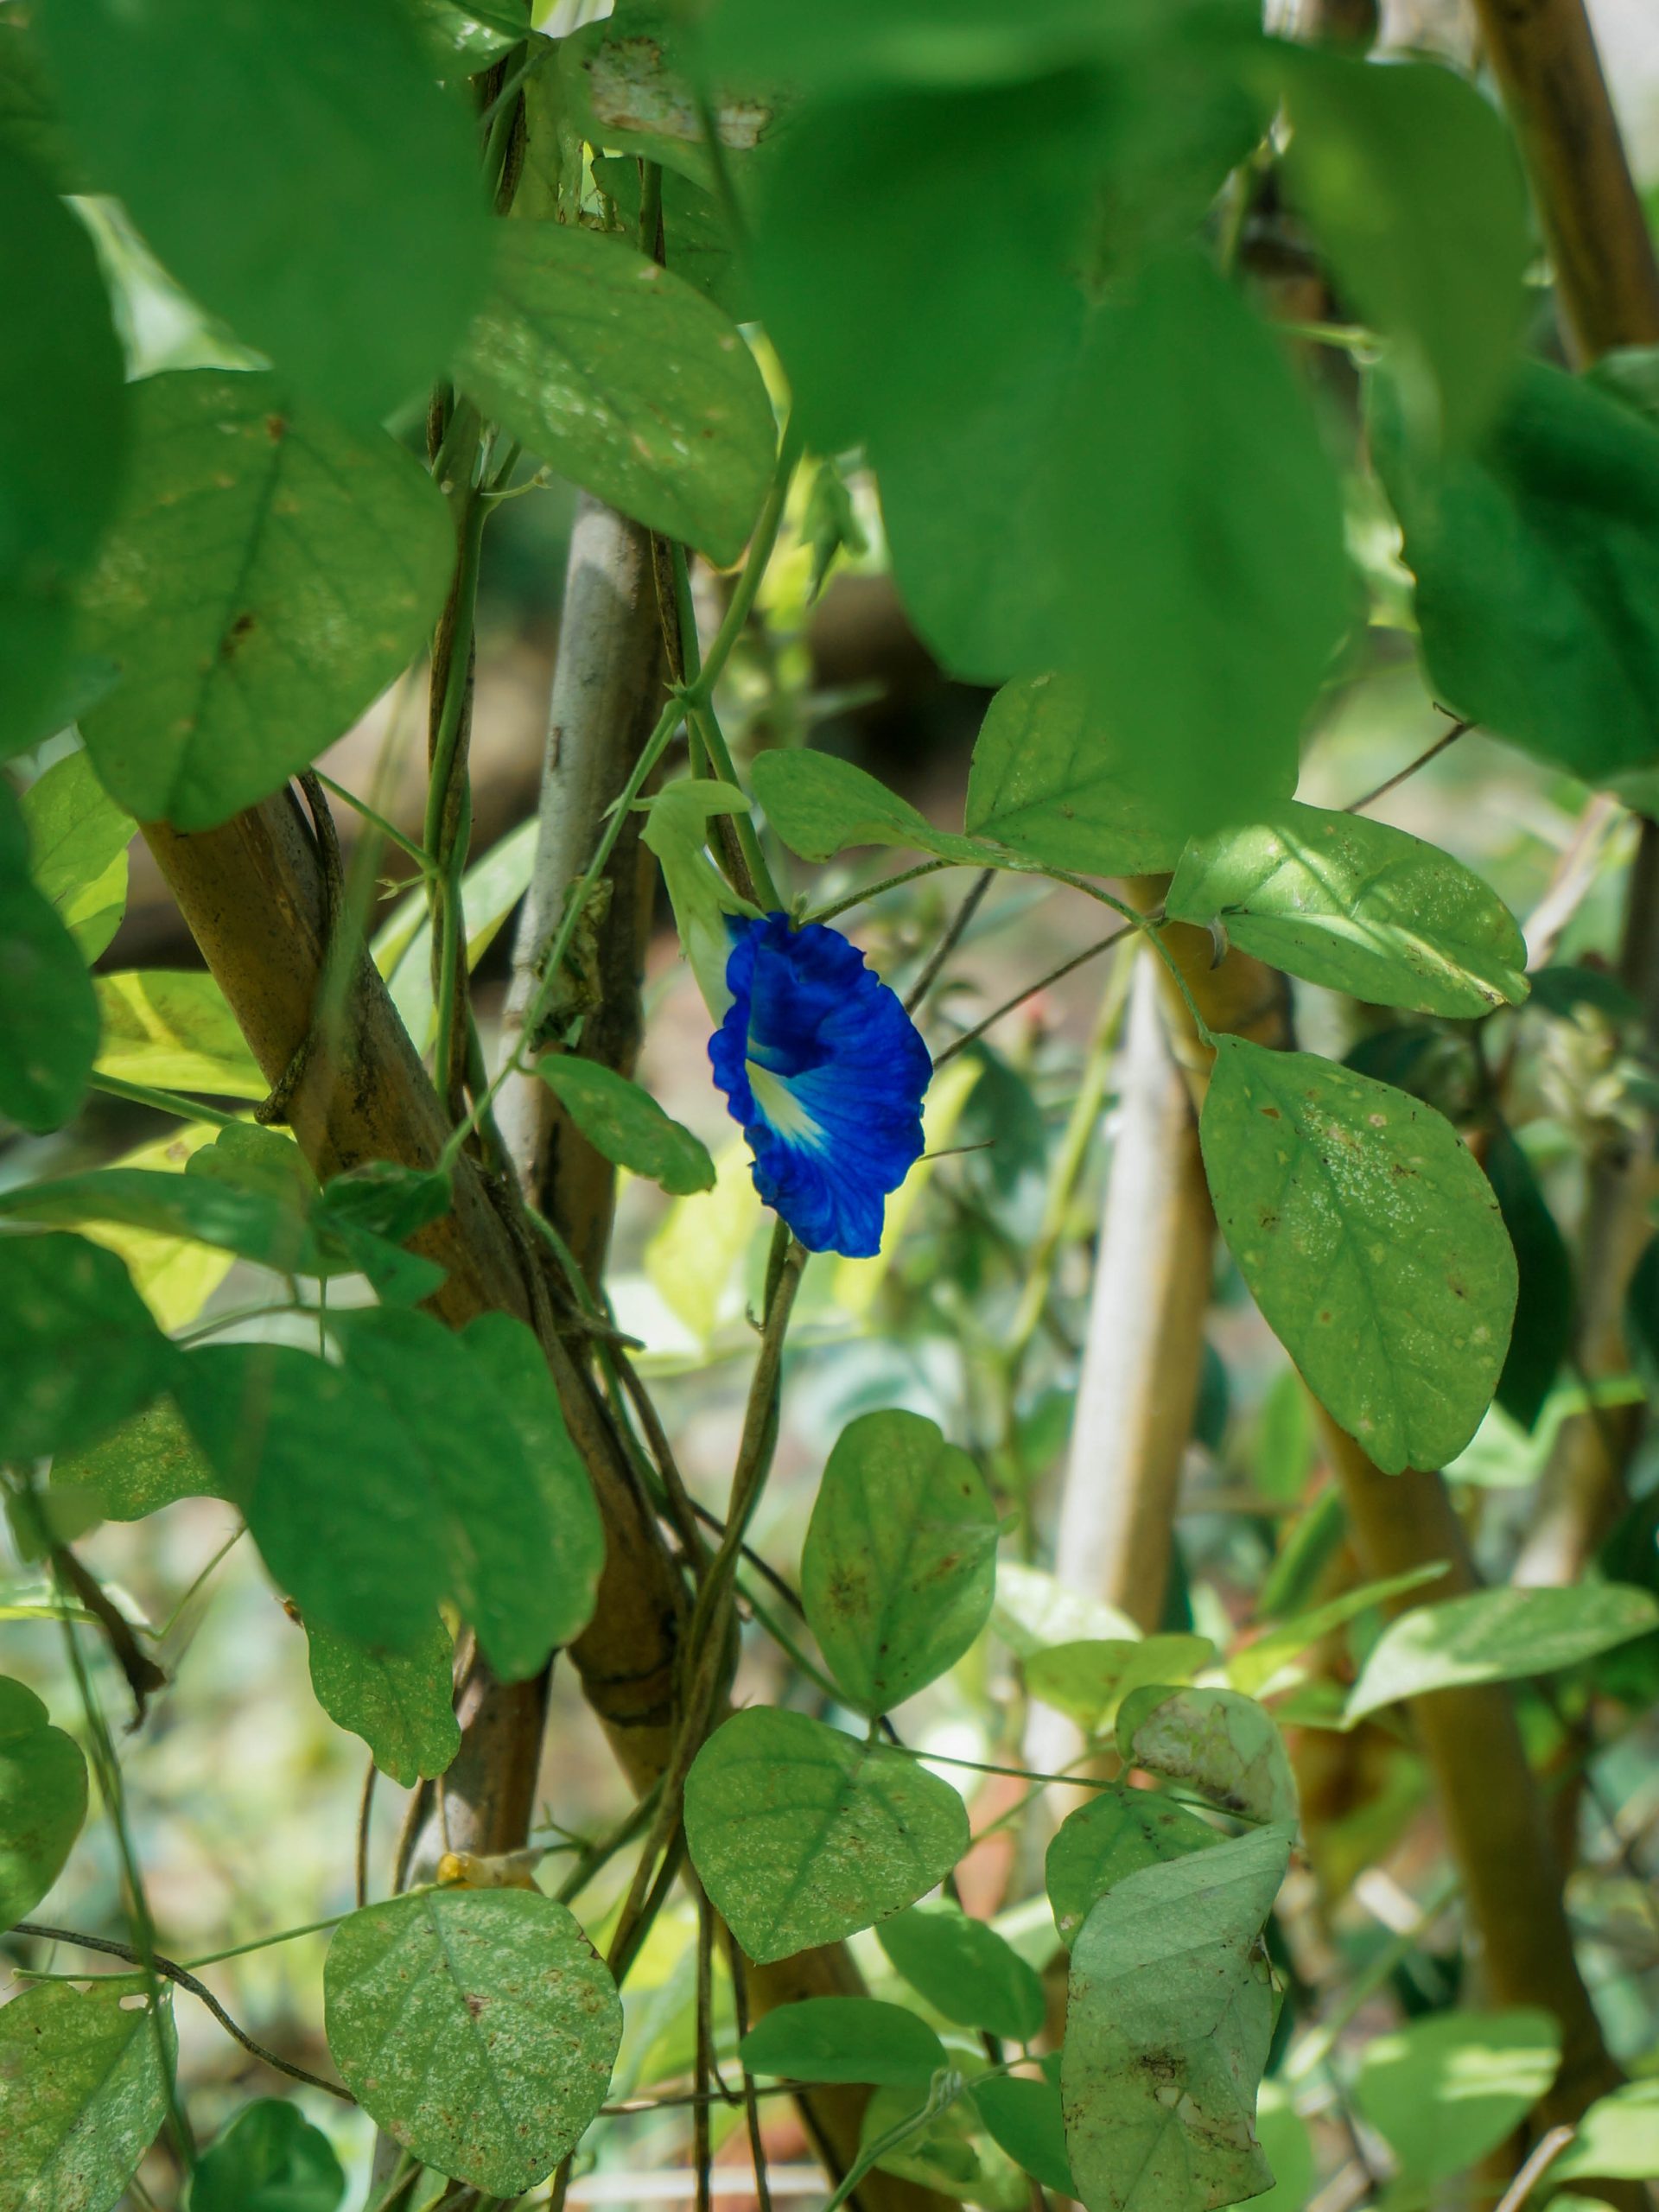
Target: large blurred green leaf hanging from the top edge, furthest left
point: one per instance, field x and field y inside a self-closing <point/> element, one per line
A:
<point x="346" y="225"/>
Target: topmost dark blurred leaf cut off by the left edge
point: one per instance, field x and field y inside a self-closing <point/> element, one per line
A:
<point x="63" y="432"/>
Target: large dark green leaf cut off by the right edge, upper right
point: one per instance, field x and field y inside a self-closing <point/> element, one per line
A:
<point x="1538" y="570"/>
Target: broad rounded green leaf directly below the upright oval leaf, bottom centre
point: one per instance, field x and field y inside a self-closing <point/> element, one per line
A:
<point x="804" y="1835"/>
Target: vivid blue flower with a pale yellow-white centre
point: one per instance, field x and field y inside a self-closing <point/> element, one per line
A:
<point x="826" y="1072"/>
